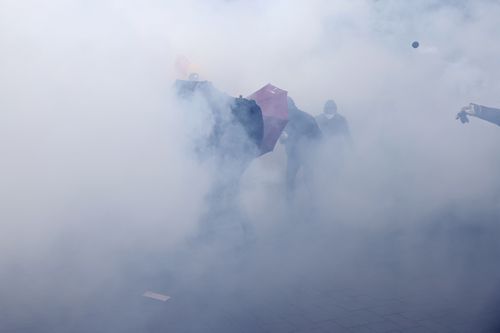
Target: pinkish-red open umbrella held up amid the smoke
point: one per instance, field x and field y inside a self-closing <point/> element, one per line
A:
<point x="272" y="100"/>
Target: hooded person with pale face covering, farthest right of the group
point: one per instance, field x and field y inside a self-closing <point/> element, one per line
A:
<point x="331" y="123"/>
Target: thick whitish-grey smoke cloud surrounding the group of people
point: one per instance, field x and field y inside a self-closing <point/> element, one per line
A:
<point x="102" y="194"/>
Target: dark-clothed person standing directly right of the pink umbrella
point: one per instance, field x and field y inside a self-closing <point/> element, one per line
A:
<point x="300" y="137"/>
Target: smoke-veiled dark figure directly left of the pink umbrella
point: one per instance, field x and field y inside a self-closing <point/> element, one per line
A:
<point x="230" y="135"/>
